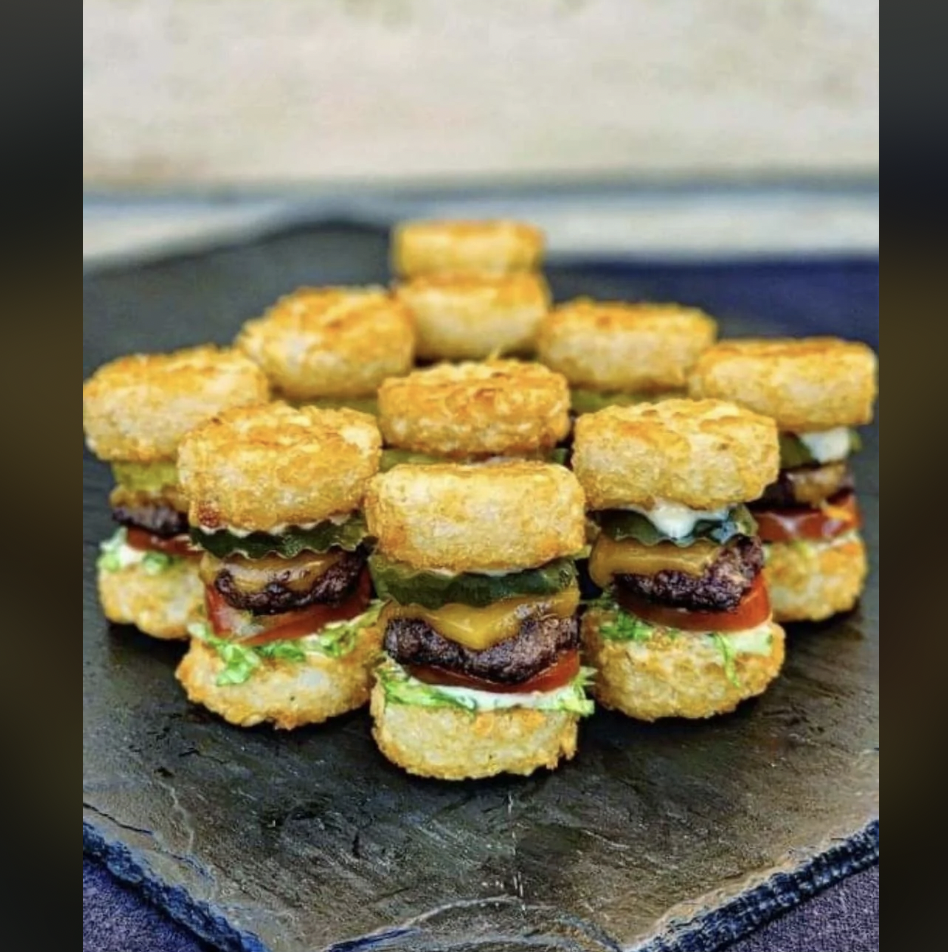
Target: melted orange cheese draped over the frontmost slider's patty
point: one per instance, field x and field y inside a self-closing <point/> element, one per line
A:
<point x="482" y="628"/>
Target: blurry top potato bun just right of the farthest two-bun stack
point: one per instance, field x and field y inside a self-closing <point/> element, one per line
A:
<point x="634" y="348"/>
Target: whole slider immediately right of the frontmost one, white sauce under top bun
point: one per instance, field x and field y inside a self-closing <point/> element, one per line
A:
<point x="685" y="628"/>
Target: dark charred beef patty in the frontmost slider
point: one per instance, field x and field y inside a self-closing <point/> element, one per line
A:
<point x="536" y="647"/>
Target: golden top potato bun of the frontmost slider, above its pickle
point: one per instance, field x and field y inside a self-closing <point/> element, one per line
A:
<point x="506" y="516"/>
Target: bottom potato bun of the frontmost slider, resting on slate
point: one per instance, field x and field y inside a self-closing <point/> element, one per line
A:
<point x="453" y="745"/>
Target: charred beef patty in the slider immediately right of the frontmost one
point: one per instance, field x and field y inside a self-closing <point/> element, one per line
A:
<point x="722" y="586"/>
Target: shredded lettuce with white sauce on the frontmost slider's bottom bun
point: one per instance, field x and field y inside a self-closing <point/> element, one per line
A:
<point x="401" y="688"/>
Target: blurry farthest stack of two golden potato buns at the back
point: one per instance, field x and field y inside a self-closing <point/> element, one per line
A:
<point x="474" y="288"/>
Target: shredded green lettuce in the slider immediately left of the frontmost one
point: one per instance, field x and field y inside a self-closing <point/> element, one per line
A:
<point x="336" y="640"/>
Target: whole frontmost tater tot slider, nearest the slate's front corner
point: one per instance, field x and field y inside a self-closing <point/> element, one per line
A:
<point x="482" y="672"/>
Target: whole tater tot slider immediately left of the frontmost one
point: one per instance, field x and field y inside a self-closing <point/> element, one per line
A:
<point x="275" y="495"/>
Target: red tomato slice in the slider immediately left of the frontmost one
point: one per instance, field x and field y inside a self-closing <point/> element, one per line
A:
<point x="249" y="629"/>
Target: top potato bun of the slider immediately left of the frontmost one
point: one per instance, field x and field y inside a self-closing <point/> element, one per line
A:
<point x="266" y="467"/>
